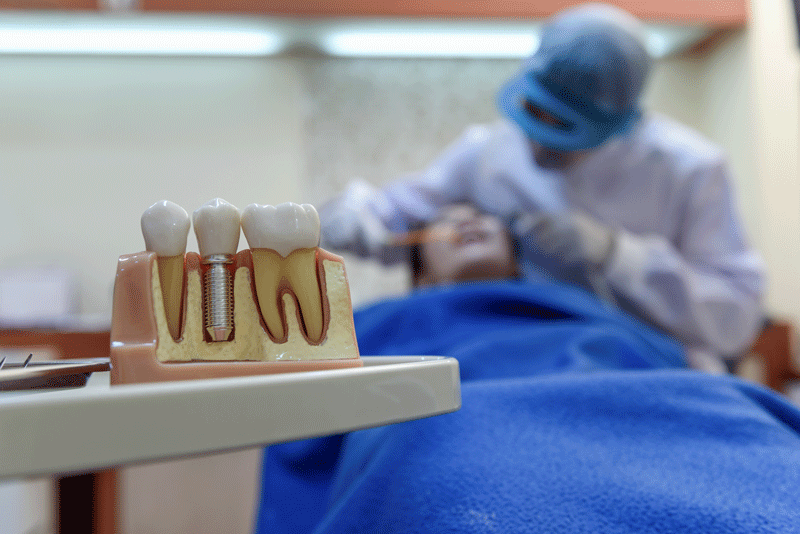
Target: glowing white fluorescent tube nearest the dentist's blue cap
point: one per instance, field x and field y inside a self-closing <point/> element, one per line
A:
<point x="453" y="43"/>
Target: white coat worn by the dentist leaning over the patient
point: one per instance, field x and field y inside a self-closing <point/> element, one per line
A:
<point x="681" y="260"/>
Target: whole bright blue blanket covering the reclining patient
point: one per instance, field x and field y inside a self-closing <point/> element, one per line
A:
<point x="572" y="421"/>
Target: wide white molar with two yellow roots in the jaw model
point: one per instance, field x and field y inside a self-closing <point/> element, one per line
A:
<point x="283" y="240"/>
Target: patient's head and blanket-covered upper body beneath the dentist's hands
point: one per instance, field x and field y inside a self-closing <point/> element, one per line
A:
<point x="468" y="302"/>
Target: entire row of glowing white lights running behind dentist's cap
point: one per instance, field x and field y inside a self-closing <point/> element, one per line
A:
<point x="217" y="35"/>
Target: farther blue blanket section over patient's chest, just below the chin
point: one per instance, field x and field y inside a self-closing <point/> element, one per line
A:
<point x="511" y="329"/>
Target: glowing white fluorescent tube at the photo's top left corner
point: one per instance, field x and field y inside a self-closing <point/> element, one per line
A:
<point x="133" y="35"/>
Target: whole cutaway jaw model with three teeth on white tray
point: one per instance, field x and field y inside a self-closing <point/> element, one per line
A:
<point x="281" y="306"/>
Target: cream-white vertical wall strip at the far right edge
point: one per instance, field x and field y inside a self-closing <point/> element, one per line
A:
<point x="773" y="56"/>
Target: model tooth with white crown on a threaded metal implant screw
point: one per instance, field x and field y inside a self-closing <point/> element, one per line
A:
<point x="216" y="224"/>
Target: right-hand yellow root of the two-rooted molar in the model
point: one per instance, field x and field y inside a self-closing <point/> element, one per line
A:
<point x="301" y="271"/>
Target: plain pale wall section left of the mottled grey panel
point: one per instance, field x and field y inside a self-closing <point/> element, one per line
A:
<point x="87" y="144"/>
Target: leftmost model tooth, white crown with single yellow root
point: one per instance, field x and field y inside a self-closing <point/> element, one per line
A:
<point x="165" y="227"/>
